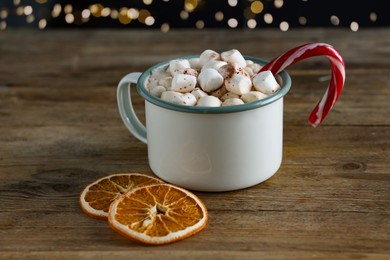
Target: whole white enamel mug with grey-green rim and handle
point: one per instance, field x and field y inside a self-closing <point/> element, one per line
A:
<point x="208" y="148"/>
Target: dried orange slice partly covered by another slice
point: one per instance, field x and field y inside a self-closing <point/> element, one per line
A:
<point x="96" y="198"/>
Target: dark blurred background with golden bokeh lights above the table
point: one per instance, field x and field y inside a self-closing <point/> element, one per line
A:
<point x="165" y="15"/>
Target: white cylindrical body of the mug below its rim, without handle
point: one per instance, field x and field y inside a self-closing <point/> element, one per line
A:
<point x="215" y="152"/>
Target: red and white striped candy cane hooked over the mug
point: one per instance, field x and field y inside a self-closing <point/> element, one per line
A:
<point x="336" y="82"/>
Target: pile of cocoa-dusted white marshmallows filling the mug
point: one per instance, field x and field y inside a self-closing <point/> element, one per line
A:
<point x="212" y="80"/>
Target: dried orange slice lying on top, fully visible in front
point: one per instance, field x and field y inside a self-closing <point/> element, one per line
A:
<point x="158" y="214"/>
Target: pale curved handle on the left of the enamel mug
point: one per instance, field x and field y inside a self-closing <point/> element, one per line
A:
<point x="125" y="106"/>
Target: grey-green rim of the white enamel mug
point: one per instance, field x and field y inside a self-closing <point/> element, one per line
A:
<point x="142" y="90"/>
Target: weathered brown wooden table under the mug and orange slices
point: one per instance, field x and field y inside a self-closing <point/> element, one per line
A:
<point x="60" y="130"/>
